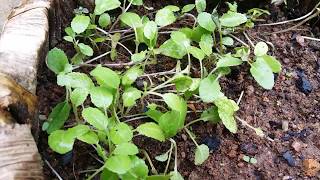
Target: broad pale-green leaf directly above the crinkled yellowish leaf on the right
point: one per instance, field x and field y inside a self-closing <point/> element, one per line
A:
<point x="209" y="89"/>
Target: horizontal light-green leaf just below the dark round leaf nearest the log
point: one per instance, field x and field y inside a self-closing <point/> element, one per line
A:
<point x="75" y="80"/>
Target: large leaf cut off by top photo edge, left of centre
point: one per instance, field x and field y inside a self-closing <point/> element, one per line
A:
<point x="102" y="6"/>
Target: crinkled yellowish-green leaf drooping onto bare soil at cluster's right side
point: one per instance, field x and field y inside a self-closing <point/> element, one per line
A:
<point x="226" y="109"/>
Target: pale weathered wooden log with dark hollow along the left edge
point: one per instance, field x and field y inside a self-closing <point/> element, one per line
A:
<point x="23" y="44"/>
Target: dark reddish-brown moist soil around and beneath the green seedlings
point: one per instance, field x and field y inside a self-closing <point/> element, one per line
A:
<point x="289" y="114"/>
